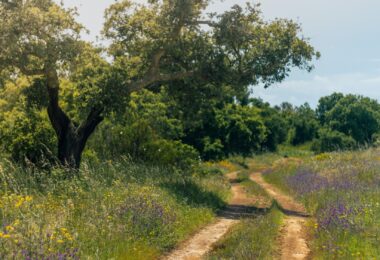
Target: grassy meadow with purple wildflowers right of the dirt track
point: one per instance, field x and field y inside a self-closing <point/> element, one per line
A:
<point x="342" y="190"/>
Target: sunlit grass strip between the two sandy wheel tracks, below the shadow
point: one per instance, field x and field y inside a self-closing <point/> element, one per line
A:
<point x="251" y="239"/>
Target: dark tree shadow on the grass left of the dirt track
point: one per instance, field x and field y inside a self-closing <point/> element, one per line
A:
<point x="192" y="194"/>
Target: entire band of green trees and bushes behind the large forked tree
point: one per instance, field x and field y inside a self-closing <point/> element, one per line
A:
<point x="181" y="128"/>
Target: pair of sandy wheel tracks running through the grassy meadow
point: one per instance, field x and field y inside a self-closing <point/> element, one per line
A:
<point x="293" y="237"/>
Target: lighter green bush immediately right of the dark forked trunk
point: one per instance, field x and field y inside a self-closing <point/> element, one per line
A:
<point x="145" y="132"/>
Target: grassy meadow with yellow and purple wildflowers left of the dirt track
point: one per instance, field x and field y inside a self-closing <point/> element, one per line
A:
<point x="113" y="210"/>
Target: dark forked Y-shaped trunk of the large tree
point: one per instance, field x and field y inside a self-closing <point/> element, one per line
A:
<point x="72" y="139"/>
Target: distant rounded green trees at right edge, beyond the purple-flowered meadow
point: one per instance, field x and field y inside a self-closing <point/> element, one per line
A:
<point x="339" y="122"/>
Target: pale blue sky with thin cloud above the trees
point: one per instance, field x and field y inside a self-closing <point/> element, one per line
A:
<point x="346" y="32"/>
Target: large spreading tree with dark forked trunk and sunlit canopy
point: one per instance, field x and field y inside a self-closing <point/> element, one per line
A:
<point x="151" y="44"/>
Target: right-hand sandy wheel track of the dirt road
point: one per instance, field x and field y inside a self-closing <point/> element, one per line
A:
<point x="293" y="237"/>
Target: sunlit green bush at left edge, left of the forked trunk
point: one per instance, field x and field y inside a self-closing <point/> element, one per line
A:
<point x="26" y="135"/>
